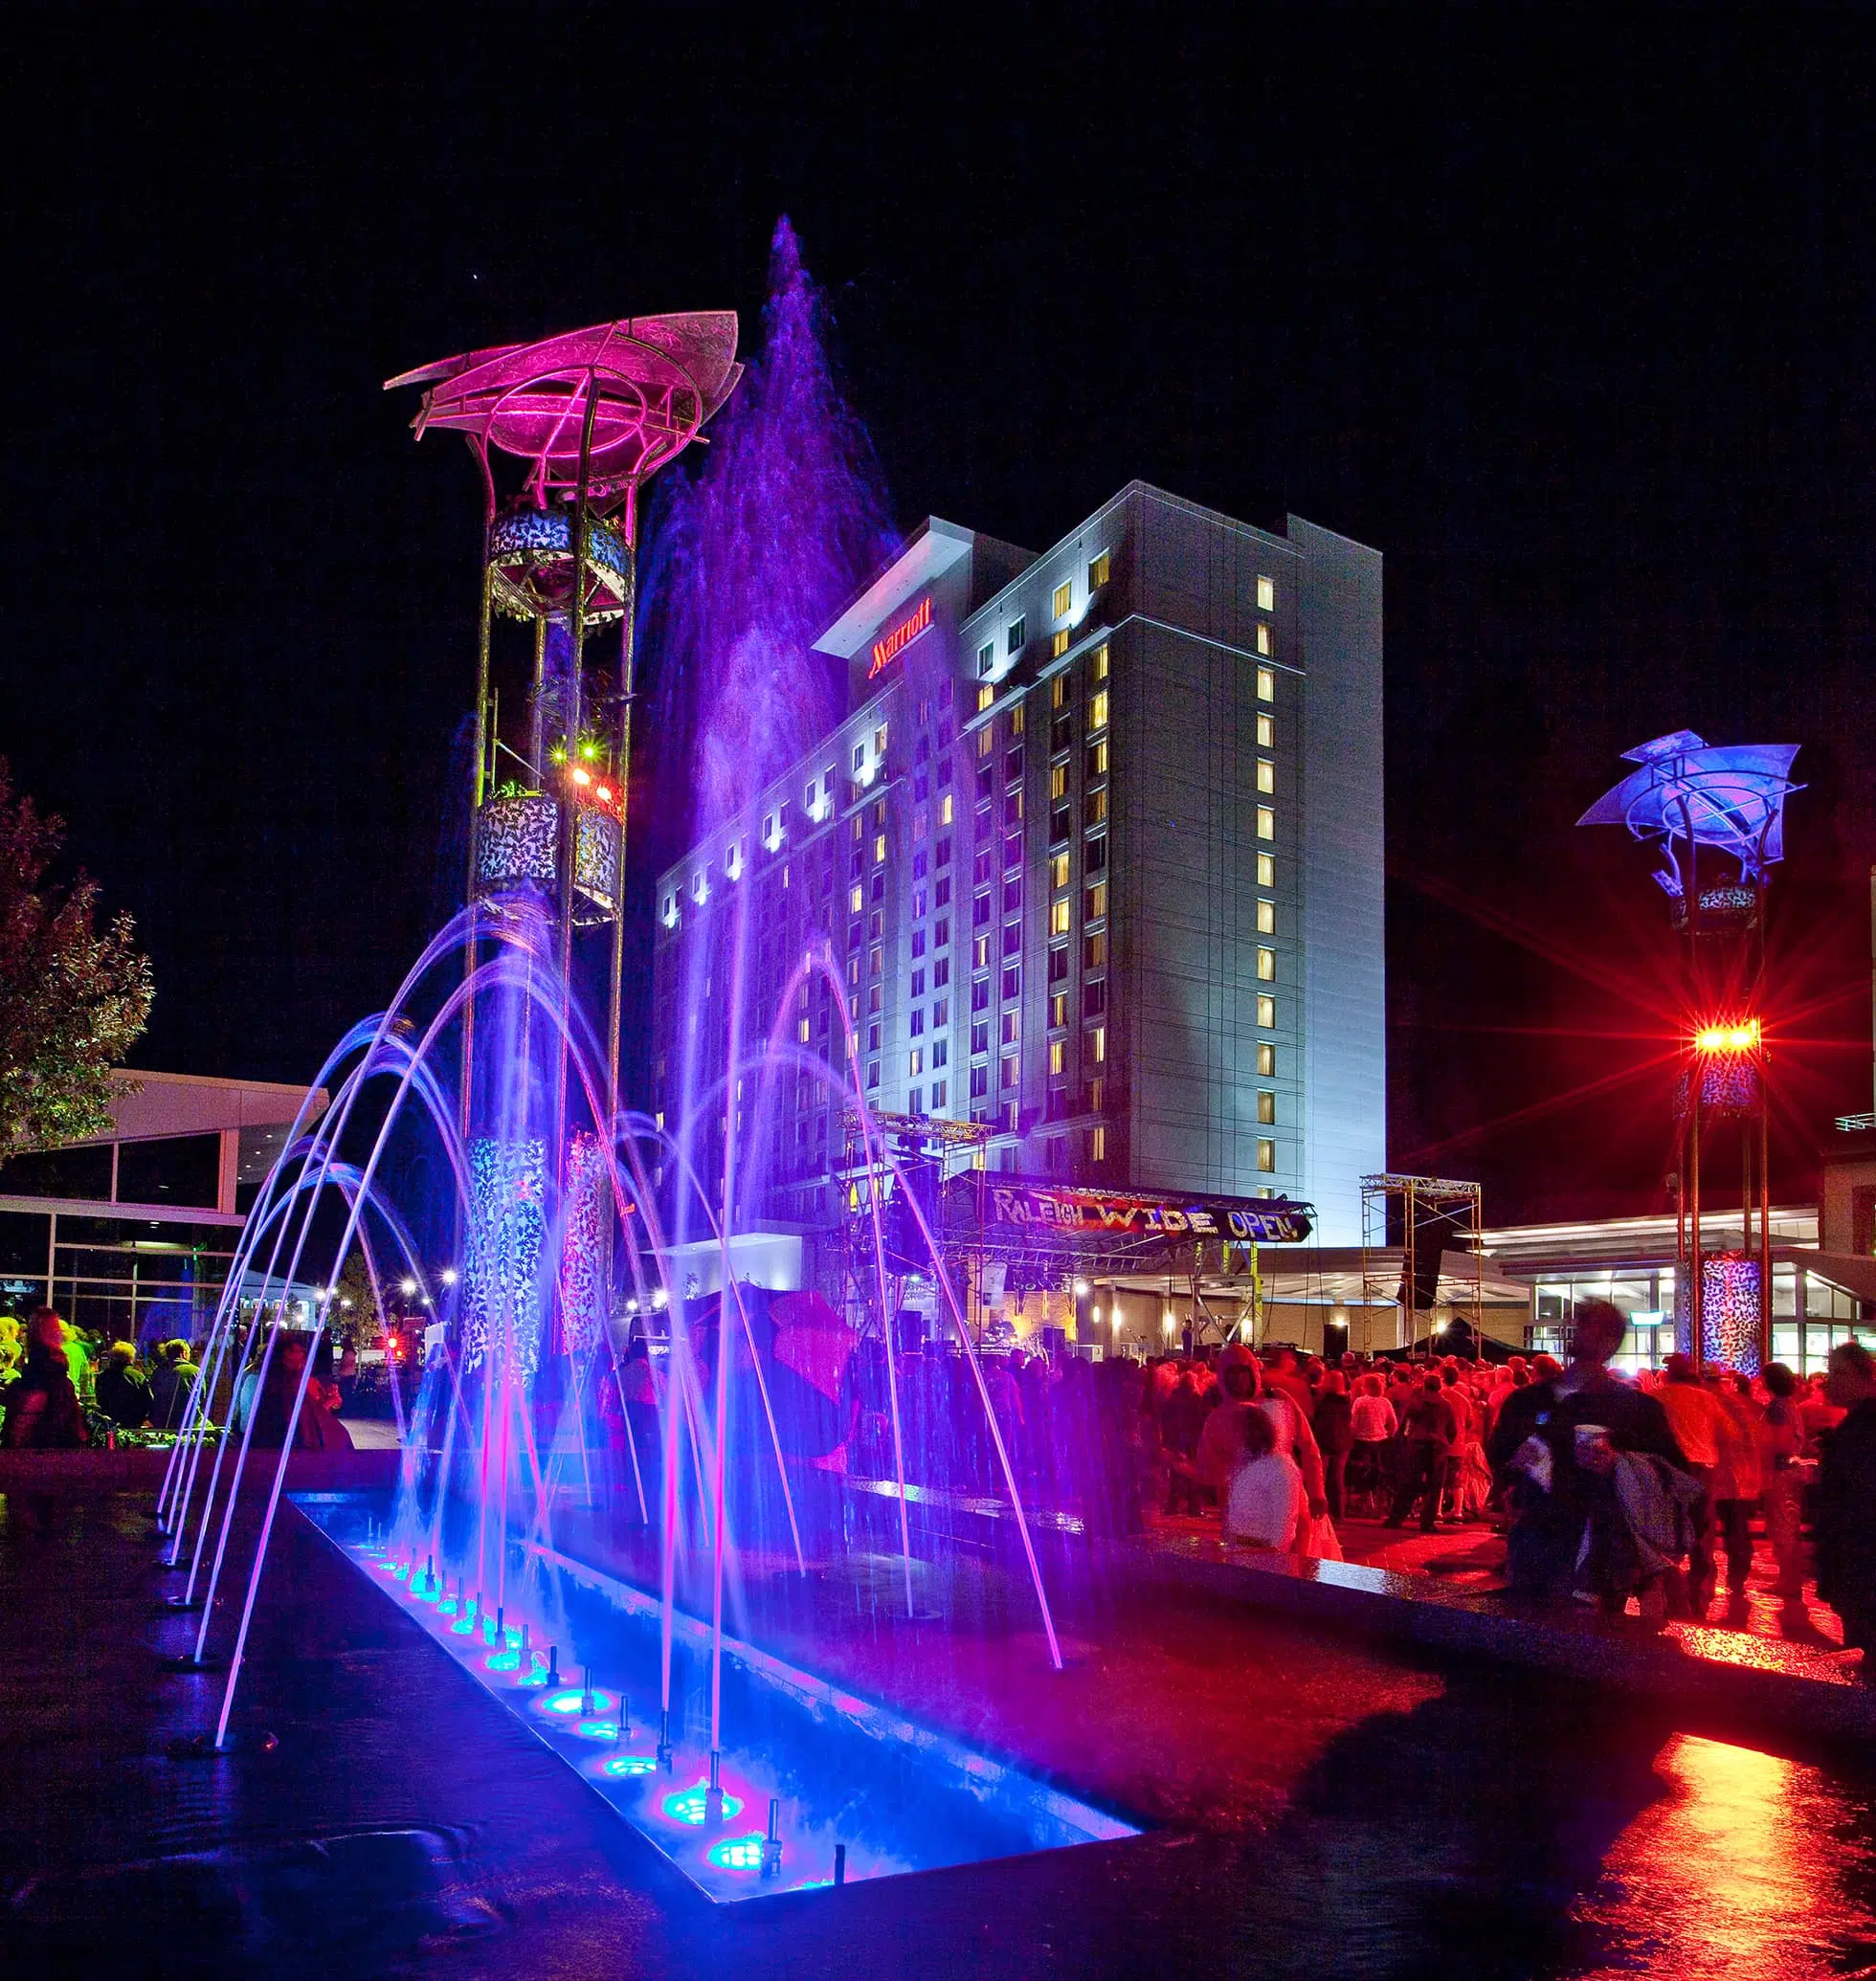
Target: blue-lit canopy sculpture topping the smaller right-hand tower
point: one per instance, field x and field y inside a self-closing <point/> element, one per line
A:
<point x="1722" y="795"/>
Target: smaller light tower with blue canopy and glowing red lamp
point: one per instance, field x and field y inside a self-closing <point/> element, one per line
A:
<point x="1730" y="801"/>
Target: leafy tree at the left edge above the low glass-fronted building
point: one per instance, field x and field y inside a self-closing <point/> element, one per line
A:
<point x="72" y="999"/>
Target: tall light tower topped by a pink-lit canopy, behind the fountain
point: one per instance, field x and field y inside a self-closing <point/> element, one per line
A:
<point x="587" y="419"/>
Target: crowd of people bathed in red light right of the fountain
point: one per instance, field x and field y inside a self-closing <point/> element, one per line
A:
<point x="1612" y="1491"/>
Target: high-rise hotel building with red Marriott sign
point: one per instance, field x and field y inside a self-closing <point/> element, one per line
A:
<point x="1098" y="857"/>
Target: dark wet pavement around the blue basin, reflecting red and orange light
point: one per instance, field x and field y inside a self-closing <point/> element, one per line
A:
<point x="1316" y="1806"/>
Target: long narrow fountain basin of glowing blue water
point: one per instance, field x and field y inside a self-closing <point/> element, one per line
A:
<point x="845" y="1772"/>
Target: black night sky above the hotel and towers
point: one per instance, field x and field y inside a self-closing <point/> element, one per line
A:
<point x="1572" y="320"/>
